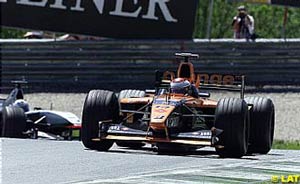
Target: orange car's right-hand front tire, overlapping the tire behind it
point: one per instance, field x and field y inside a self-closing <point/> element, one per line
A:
<point x="231" y="116"/>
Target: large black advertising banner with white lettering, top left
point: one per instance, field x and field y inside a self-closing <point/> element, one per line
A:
<point x="106" y="18"/>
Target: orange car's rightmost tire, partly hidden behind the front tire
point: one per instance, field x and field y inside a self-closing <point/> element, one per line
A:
<point x="262" y="118"/>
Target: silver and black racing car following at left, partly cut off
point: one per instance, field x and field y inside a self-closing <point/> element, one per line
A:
<point x="18" y="121"/>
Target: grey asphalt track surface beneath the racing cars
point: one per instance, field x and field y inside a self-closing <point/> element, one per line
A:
<point x="68" y="162"/>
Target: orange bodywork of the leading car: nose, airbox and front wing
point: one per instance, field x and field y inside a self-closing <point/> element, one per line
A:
<point x="164" y="105"/>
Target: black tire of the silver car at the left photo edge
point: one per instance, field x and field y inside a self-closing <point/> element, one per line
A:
<point x="14" y="122"/>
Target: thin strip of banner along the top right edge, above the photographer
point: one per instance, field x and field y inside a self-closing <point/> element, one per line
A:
<point x="294" y="3"/>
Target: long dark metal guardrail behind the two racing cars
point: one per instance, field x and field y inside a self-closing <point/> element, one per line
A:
<point x="50" y="65"/>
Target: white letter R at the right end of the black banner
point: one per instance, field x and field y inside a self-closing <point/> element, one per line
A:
<point x="164" y="9"/>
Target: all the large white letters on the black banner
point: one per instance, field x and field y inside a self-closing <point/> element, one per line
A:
<point x="118" y="11"/>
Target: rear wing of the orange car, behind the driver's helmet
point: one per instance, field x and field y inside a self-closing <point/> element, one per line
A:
<point x="205" y="81"/>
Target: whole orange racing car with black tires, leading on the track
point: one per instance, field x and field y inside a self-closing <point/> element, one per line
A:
<point x="180" y="116"/>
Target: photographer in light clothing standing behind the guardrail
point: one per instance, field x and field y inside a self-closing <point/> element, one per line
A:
<point x="243" y="25"/>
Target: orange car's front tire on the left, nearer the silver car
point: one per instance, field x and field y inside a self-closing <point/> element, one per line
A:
<point x="99" y="106"/>
